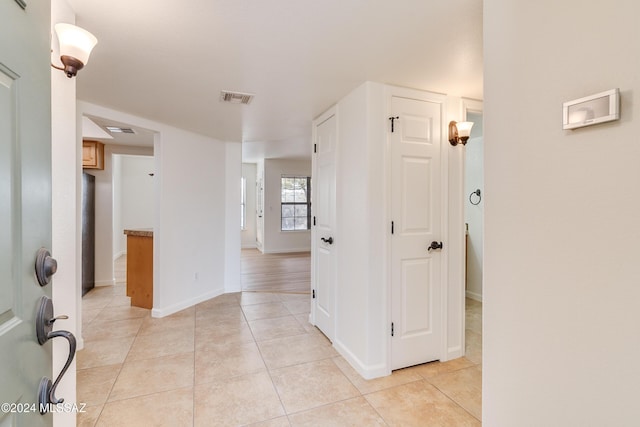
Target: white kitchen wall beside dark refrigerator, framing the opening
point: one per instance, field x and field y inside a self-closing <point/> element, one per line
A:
<point x="107" y="241"/>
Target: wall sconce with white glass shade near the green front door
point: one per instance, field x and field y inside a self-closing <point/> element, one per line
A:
<point x="75" y="47"/>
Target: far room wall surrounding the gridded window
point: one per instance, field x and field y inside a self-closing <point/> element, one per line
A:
<point x="276" y="240"/>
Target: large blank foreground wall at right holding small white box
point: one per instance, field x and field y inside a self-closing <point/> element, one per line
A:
<point x="561" y="288"/>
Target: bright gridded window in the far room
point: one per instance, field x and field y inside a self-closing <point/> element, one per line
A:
<point x="296" y="203"/>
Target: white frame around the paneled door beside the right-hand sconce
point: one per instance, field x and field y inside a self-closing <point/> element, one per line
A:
<point x="391" y="91"/>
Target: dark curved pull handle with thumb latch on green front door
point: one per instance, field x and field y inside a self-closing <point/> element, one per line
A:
<point x="45" y="332"/>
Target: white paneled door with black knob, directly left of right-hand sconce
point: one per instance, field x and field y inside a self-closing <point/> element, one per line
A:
<point x="416" y="215"/>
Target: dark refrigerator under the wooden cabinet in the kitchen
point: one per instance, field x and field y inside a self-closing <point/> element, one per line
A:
<point x="88" y="231"/>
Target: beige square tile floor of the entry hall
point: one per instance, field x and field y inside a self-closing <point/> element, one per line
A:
<point x="253" y="359"/>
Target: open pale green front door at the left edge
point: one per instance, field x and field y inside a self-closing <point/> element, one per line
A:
<point x="25" y="204"/>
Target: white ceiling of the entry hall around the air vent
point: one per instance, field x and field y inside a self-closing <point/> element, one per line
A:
<point x="168" y="60"/>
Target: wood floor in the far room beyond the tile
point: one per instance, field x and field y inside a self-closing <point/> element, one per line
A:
<point x="285" y="273"/>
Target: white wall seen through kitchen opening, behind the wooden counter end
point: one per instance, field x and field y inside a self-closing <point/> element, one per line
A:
<point x="132" y="197"/>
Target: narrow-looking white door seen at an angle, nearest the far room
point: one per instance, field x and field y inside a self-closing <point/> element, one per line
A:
<point x="324" y="213"/>
